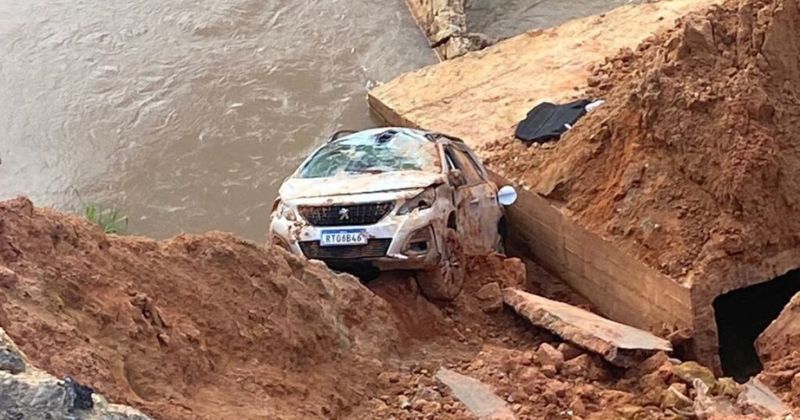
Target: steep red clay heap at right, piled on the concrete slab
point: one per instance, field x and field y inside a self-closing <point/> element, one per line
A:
<point x="693" y="163"/>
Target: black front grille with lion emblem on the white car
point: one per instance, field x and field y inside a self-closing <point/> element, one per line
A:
<point x="350" y="215"/>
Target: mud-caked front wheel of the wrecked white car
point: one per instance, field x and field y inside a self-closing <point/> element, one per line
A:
<point x="445" y="281"/>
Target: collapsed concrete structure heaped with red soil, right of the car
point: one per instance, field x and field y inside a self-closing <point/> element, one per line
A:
<point x="626" y="202"/>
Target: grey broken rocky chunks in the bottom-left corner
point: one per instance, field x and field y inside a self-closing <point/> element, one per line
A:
<point x="30" y="393"/>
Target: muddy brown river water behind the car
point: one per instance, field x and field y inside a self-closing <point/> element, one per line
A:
<point x="187" y="114"/>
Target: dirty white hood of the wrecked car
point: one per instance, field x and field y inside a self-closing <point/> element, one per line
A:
<point x="295" y="188"/>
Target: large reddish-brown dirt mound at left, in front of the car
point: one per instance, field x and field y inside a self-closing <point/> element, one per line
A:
<point x="206" y="326"/>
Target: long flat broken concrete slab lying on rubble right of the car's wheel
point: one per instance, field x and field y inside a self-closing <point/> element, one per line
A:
<point x="620" y="344"/>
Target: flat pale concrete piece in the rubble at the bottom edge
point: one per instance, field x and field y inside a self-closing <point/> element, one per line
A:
<point x="479" y="398"/>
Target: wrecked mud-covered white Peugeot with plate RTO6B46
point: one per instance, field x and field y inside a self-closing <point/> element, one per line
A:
<point x="393" y="199"/>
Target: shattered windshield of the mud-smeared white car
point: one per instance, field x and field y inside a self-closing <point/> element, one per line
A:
<point x="373" y="153"/>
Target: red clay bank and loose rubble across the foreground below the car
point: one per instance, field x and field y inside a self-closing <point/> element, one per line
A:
<point x="214" y="327"/>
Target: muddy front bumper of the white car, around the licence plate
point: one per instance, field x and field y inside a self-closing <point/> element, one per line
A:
<point x="408" y="242"/>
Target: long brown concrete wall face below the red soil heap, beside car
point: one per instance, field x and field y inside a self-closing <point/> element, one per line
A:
<point x="620" y="286"/>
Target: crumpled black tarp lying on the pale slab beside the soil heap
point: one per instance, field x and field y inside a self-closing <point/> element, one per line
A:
<point x="547" y="121"/>
